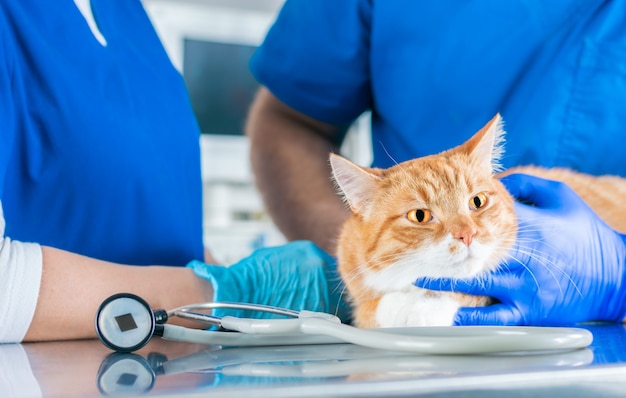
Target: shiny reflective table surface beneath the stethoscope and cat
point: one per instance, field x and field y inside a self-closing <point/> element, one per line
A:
<point x="87" y="368"/>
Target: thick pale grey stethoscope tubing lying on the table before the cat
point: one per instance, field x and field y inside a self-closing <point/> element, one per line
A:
<point x="458" y="340"/>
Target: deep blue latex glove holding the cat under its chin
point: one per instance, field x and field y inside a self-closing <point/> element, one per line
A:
<point x="566" y="267"/>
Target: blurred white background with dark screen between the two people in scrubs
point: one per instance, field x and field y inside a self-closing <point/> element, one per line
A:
<point x="210" y="42"/>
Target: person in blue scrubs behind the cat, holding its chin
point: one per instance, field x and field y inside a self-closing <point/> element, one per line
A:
<point x="432" y="73"/>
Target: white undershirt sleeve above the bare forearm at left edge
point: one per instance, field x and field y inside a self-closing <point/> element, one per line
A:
<point x="21" y="266"/>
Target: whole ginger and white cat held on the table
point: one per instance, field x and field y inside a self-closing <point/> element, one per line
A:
<point x="444" y="215"/>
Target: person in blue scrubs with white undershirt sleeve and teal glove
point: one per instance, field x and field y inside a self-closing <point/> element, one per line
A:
<point x="100" y="168"/>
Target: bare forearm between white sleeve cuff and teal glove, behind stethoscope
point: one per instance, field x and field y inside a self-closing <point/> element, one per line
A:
<point x="73" y="286"/>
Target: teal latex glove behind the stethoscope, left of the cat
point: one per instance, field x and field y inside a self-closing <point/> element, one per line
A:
<point x="298" y="275"/>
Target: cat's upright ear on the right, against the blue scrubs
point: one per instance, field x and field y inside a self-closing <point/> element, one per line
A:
<point x="487" y="145"/>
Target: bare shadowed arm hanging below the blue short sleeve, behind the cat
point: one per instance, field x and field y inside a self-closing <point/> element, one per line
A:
<point x="290" y="160"/>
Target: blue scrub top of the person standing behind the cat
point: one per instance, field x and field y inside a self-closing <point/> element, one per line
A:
<point x="433" y="72"/>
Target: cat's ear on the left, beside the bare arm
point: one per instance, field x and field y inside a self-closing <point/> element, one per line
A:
<point x="356" y="184"/>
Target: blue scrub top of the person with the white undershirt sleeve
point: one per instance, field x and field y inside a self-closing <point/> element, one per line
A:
<point x="99" y="147"/>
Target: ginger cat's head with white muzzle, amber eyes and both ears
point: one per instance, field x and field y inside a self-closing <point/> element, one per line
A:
<point x="444" y="215"/>
